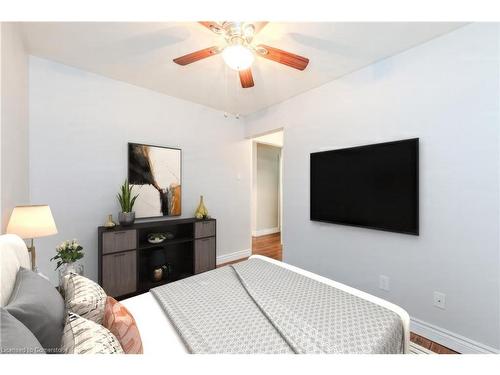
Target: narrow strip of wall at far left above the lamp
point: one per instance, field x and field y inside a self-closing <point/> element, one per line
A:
<point x="14" y="117"/>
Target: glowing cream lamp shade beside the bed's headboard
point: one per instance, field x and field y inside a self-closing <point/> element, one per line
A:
<point x="32" y="222"/>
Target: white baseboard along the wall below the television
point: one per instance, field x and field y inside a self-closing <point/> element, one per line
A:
<point x="449" y="339"/>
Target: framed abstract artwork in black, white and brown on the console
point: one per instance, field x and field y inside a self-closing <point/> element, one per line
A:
<point x="155" y="173"/>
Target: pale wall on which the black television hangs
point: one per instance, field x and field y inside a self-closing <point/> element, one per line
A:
<point x="446" y="92"/>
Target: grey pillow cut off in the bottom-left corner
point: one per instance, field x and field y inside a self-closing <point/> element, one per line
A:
<point x="16" y="338"/>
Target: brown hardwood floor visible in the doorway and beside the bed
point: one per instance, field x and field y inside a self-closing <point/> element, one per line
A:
<point x="270" y="246"/>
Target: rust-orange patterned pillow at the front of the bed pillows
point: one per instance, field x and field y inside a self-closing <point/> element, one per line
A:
<point x="122" y="324"/>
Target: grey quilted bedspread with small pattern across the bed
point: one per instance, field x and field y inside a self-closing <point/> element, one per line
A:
<point x="258" y="307"/>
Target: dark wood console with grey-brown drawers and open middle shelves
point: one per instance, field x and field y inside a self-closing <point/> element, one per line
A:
<point x="127" y="260"/>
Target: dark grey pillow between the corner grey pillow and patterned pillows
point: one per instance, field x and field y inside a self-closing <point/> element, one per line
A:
<point x="39" y="306"/>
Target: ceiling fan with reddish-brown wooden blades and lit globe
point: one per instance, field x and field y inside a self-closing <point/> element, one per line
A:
<point x="239" y="52"/>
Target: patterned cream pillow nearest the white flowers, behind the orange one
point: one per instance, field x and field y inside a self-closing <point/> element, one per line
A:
<point x="85" y="297"/>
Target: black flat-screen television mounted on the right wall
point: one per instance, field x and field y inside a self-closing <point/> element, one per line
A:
<point x="373" y="186"/>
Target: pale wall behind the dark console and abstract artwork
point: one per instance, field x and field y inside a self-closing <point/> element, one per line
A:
<point x="80" y="124"/>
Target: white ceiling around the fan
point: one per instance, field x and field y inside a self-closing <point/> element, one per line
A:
<point x="142" y="53"/>
